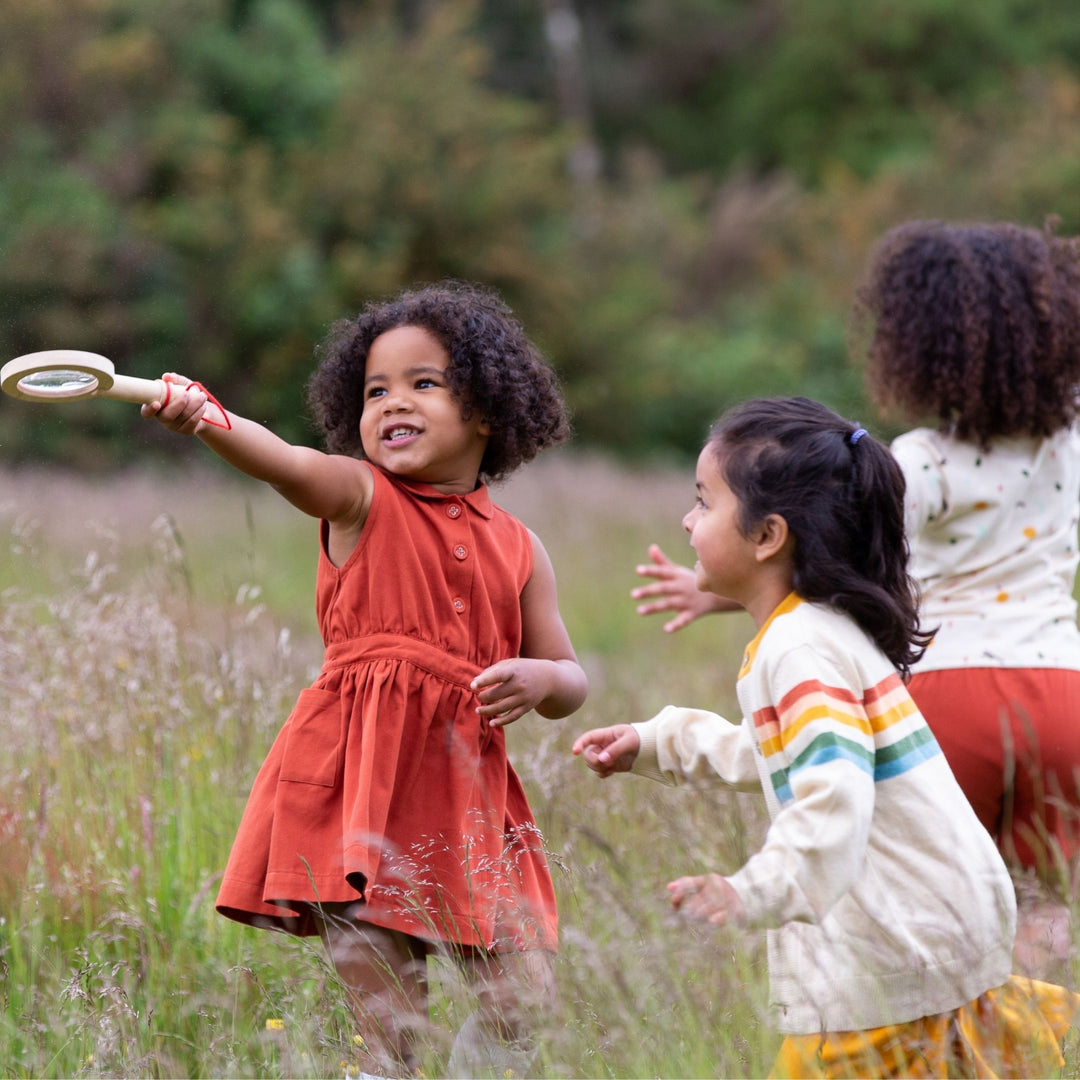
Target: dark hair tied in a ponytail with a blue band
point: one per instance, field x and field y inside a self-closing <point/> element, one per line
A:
<point x="842" y="494"/>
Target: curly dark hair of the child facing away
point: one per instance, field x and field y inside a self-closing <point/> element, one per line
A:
<point x="976" y="326"/>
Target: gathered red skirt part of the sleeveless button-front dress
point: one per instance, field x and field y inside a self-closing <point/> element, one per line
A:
<point x="386" y="788"/>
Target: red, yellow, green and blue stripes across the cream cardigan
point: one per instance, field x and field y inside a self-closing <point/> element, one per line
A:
<point x="883" y="736"/>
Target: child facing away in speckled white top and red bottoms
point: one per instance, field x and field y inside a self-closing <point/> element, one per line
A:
<point x="975" y="331"/>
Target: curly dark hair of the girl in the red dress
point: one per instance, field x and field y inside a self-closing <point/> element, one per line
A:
<point x="495" y="370"/>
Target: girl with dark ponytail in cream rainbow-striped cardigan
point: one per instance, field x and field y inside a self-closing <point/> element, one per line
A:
<point x="890" y="913"/>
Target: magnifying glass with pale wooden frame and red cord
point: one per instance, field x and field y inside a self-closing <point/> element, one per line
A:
<point x="64" y="375"/>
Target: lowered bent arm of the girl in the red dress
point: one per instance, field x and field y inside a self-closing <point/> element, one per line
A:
<point x="547" y="676"/>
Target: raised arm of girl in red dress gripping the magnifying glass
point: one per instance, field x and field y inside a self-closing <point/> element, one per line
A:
<point x="323" y="485"/>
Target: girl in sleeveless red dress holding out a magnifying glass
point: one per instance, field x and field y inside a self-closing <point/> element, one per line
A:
<point x="387" y="817"/>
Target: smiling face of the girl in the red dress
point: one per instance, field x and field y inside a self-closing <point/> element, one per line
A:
<point x="412" y="425"/>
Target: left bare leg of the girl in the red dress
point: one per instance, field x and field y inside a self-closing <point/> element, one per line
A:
<point x="385" y="974"/>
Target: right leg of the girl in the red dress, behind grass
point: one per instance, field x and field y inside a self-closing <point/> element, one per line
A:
<point x="512" y="990"/>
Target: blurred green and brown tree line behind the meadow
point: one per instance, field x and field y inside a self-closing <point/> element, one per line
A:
<point x="676" y="196"/>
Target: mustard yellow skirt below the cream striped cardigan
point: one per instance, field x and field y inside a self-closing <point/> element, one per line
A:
<point x="1015" y="1031"/>
